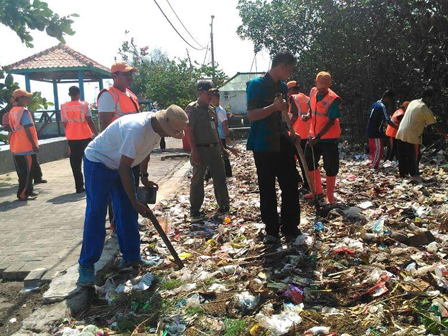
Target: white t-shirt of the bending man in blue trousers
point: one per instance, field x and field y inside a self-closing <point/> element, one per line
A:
<point x="131" y="135"/>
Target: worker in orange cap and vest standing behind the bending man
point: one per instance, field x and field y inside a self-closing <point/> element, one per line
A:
<point x="115" y="102"/>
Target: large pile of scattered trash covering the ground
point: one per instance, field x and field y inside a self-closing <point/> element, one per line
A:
<point x="373" y="264"/>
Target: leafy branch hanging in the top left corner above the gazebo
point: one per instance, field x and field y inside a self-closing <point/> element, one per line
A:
<point x="22" y="16"/>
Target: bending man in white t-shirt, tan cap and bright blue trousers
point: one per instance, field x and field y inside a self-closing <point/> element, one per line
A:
<point x="108" y="162"/>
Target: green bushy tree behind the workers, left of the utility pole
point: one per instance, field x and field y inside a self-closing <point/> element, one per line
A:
<point x="164" y="80"/>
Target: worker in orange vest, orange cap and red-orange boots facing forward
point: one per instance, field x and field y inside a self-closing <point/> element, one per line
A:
<point x="325" y="130"/>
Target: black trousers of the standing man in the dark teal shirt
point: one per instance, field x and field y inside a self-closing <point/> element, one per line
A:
<point x="281" y="165"/>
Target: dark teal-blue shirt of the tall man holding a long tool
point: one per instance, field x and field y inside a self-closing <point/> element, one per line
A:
<point x="265" y="134"/>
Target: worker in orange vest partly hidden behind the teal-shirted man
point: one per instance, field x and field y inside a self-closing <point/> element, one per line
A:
<point x="298" y="106"/>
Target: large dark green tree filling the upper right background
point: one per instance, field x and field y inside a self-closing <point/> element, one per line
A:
<point x="367" y="46"/>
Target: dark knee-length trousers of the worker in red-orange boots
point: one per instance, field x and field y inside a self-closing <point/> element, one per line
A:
<point x="330" y="153"/>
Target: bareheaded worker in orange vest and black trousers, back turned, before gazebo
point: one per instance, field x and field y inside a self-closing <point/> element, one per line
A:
<point x="79" y="128"/>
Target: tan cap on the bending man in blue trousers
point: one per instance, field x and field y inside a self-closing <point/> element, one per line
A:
<point x="173" y="121"/>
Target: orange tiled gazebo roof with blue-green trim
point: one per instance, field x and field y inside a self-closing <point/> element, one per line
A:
<point x="60" y="63"/>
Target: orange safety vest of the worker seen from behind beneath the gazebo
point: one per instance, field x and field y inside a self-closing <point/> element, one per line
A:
<point x="74" y="114"/>
